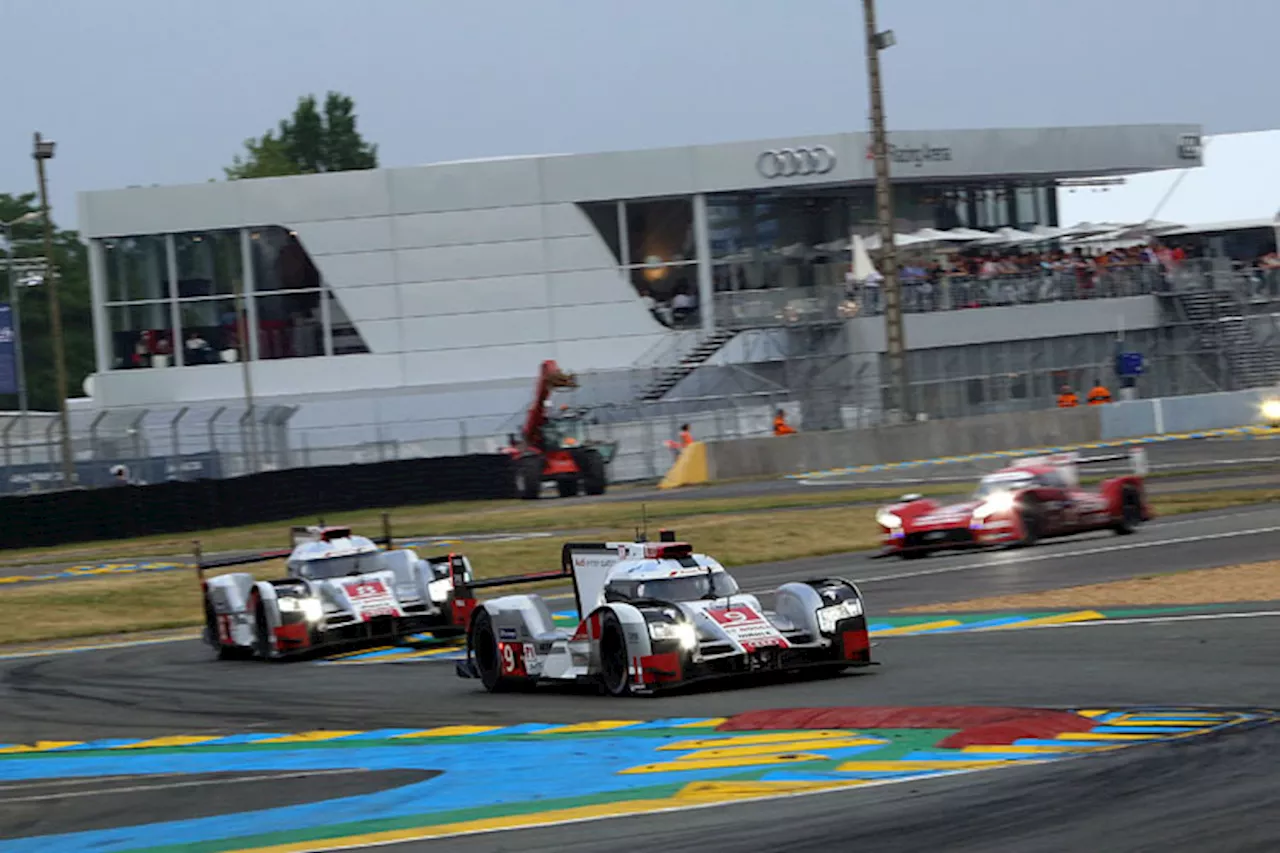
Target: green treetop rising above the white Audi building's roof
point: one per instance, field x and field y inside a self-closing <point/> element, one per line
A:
<point x="308" y="144"/>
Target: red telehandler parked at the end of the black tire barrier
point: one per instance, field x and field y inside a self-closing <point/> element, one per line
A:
<point x="554" y="445"/>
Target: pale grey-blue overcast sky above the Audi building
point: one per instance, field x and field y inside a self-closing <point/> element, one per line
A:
<point x="164" y="92"/>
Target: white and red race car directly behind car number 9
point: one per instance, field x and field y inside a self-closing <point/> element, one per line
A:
<point x="341" y="590"/>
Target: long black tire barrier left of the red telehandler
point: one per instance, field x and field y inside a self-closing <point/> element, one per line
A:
<point x="131" y="512"/>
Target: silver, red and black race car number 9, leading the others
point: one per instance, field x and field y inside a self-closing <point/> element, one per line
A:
<point x="657" y="617"/>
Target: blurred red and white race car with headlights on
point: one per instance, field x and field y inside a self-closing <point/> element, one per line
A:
<point x="1035" y="499"/>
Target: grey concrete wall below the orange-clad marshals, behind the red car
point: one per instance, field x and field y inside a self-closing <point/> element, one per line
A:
<point x="771" y="457"/>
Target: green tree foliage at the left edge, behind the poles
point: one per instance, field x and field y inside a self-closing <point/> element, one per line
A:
<point x="71" y="259"/>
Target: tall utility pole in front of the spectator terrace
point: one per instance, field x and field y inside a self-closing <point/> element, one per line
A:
<point x="895" y="336"/>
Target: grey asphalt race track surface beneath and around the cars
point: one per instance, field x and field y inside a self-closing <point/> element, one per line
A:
<point x="1219" y="792"/>
